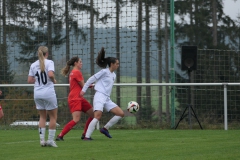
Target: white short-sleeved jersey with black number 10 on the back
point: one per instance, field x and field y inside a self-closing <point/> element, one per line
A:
<point x="43" y="86"/>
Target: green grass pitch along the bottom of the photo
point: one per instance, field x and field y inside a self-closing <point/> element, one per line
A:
<point x="125" y="145"/>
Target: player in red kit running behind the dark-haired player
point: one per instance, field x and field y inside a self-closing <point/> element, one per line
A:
<point x="77" y="103"/>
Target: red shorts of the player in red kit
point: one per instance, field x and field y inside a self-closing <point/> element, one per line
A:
<point x="79" y="105"/>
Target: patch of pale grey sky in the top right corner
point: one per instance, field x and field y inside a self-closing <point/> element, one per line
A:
<point x="232" y="8"/>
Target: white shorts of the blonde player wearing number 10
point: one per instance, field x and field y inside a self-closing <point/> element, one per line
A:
<point x="49" y="103"/>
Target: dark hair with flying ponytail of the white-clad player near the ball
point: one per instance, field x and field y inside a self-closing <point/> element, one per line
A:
<point x="102" y="61"/>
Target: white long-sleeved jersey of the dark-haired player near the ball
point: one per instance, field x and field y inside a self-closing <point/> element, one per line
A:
<point x="104" y="81"/>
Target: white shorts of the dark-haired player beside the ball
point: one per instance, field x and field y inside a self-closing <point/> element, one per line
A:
<point x="101" y="101"/>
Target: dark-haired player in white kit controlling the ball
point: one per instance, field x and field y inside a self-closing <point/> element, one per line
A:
<point x="104" y="82"/>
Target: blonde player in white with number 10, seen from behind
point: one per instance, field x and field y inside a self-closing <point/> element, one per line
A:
<point x="41" y="73"/>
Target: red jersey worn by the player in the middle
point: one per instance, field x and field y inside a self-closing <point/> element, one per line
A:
<point x="75" y="89"/>
